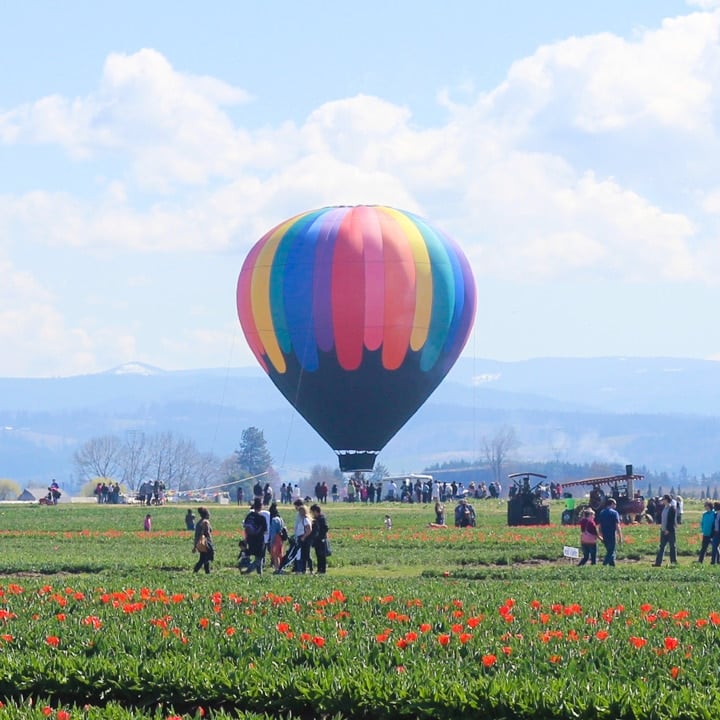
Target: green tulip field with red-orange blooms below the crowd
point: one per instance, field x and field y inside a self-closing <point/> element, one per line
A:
<point x="100" y="619"/>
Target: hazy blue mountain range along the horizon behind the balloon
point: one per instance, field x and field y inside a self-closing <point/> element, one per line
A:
<point x="657" y="412"/>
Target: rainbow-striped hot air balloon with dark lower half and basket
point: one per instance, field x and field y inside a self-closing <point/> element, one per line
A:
<point x="356" y="314"/>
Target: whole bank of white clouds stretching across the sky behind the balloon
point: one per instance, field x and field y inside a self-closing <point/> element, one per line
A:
<point x="594" y="158"/>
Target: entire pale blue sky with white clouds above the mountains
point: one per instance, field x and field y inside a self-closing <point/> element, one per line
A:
<point x="570" y="147"/>
